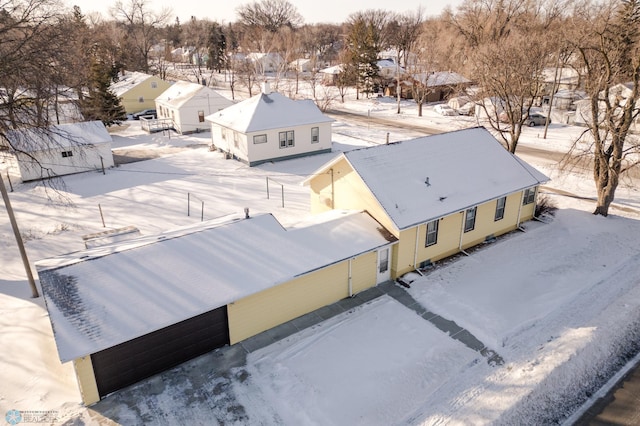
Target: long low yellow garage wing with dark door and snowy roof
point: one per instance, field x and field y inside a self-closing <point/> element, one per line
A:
<point x="126" y="311"/>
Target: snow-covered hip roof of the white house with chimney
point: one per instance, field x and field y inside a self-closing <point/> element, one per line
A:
<point x="268" y="111"/>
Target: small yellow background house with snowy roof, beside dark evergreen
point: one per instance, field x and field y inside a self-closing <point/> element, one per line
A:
<point x="137" y="91"/>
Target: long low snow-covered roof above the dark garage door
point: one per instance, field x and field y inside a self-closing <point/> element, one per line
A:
<point x="105" y="296"/>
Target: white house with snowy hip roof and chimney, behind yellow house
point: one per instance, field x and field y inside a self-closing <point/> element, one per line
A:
<point x="270" y="127"/>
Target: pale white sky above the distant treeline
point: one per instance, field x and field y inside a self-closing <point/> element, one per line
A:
<point x="334" y="11"/>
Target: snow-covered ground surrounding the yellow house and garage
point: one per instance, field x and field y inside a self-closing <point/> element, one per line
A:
<point x="560" y="303"/>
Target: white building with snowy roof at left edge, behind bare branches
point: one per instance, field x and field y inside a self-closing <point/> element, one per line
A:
<point x="62" y="150"/>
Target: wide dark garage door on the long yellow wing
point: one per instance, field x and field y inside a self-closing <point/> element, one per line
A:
<point x="132" y="361"/>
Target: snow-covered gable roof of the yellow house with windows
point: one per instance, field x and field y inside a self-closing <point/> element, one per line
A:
<point x="463" y="169"/>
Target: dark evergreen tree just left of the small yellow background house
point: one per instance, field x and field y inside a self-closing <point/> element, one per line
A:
<point x="101" y="103"/>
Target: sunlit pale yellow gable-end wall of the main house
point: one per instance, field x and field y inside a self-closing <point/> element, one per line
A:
<point x="348" y="192"/>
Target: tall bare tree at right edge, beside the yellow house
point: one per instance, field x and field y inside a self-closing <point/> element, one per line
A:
<point x="609" y="50"/>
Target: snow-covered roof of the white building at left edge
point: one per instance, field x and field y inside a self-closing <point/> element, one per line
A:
<point x="59" y="136"/>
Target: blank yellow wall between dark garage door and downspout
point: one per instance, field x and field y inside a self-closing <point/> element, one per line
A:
<point x="277" y="305"/>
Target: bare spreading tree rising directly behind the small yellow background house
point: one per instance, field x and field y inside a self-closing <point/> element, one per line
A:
<point x="142" y="27"/>
